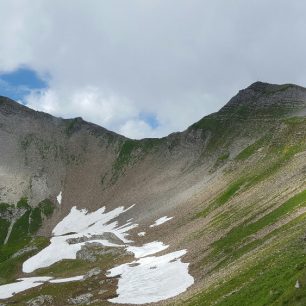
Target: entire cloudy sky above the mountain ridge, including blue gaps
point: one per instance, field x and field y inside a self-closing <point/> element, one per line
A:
<point x="146" y="68"/>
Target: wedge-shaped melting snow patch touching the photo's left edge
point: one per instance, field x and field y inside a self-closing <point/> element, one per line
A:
<point x="8" y="290"/>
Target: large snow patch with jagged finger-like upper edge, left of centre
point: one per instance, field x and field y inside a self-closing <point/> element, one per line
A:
<point x="81" y="224"/>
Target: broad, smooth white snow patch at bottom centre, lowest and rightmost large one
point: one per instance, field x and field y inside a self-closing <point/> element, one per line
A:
<point x="152" y="279"/>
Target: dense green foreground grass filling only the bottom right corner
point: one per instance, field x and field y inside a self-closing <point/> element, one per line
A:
<point x="270" y="279"/>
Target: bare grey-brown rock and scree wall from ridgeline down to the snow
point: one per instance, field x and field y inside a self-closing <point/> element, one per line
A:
<point x="42" y="156"/>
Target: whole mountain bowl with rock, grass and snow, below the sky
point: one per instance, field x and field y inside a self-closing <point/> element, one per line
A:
<point x="220" y="208"/>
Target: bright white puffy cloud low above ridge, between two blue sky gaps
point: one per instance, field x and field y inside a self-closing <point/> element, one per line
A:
<point x="95" y="106"/>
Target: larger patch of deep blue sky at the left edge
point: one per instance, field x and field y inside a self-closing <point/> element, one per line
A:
<point x="19" y="83"/>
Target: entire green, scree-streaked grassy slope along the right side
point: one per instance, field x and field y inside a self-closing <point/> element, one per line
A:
<point x="267" y="265"/>
